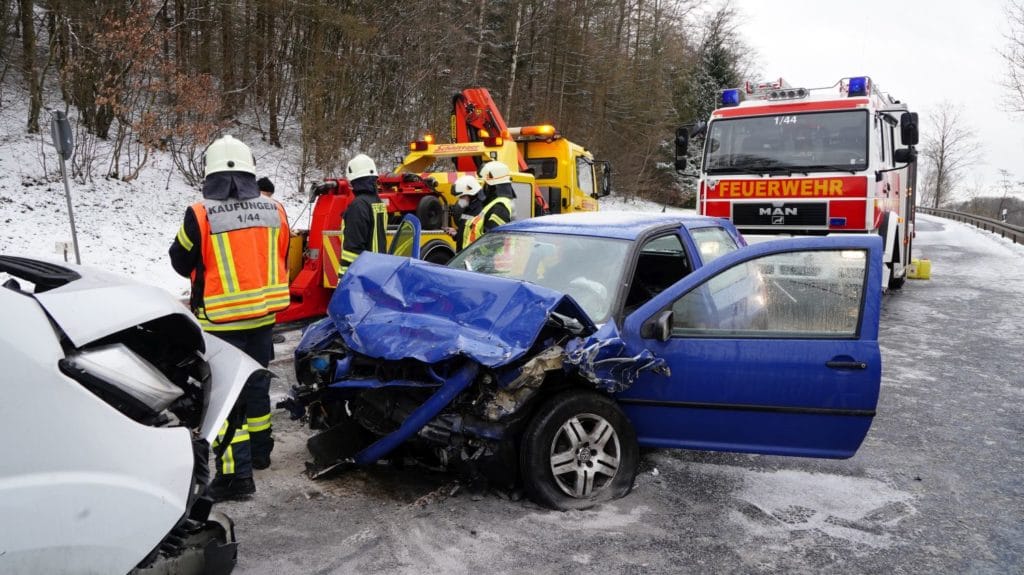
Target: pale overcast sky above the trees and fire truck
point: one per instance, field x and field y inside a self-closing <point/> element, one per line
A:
<point x="921" y="52"/>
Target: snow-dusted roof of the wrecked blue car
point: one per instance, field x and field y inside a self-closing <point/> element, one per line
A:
<point x="621" y="226"/>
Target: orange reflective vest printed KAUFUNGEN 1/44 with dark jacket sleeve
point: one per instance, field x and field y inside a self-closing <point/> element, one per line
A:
<point x="240" y="270"/>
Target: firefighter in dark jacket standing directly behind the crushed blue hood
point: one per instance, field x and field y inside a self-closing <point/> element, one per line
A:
<point x="365" y="222"/>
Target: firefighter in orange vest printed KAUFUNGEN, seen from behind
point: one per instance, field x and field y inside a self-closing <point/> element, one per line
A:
<point x="234" y="247"/>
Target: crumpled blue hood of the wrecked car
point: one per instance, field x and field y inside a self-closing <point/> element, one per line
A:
<point x="396" y="308"/>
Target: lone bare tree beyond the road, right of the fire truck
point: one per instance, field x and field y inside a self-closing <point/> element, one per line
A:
<point x="950" y="149"/>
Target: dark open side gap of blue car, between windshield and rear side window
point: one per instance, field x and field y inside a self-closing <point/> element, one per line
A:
<point x="662" y="263"/>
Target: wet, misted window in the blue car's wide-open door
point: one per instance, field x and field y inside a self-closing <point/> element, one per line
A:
<point x="796" y="295"/>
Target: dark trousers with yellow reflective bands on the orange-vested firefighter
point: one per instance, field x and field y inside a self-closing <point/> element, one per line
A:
<point x="252" y="433"/>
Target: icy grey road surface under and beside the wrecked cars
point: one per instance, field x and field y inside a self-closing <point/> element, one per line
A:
<point x="937" y="488"/>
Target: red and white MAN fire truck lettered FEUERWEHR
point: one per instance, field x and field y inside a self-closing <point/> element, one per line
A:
<point x="780" y="160"/>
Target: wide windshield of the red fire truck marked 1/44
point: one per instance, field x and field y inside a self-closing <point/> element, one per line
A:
<point x="820" y="142"/>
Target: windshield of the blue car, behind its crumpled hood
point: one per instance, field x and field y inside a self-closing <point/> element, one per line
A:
<point x="589" y="270"/>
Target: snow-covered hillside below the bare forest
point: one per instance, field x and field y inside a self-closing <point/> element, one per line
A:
<point x="125" y="228"/>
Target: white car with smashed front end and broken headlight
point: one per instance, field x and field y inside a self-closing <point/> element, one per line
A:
<point x="112" y="399"/>
